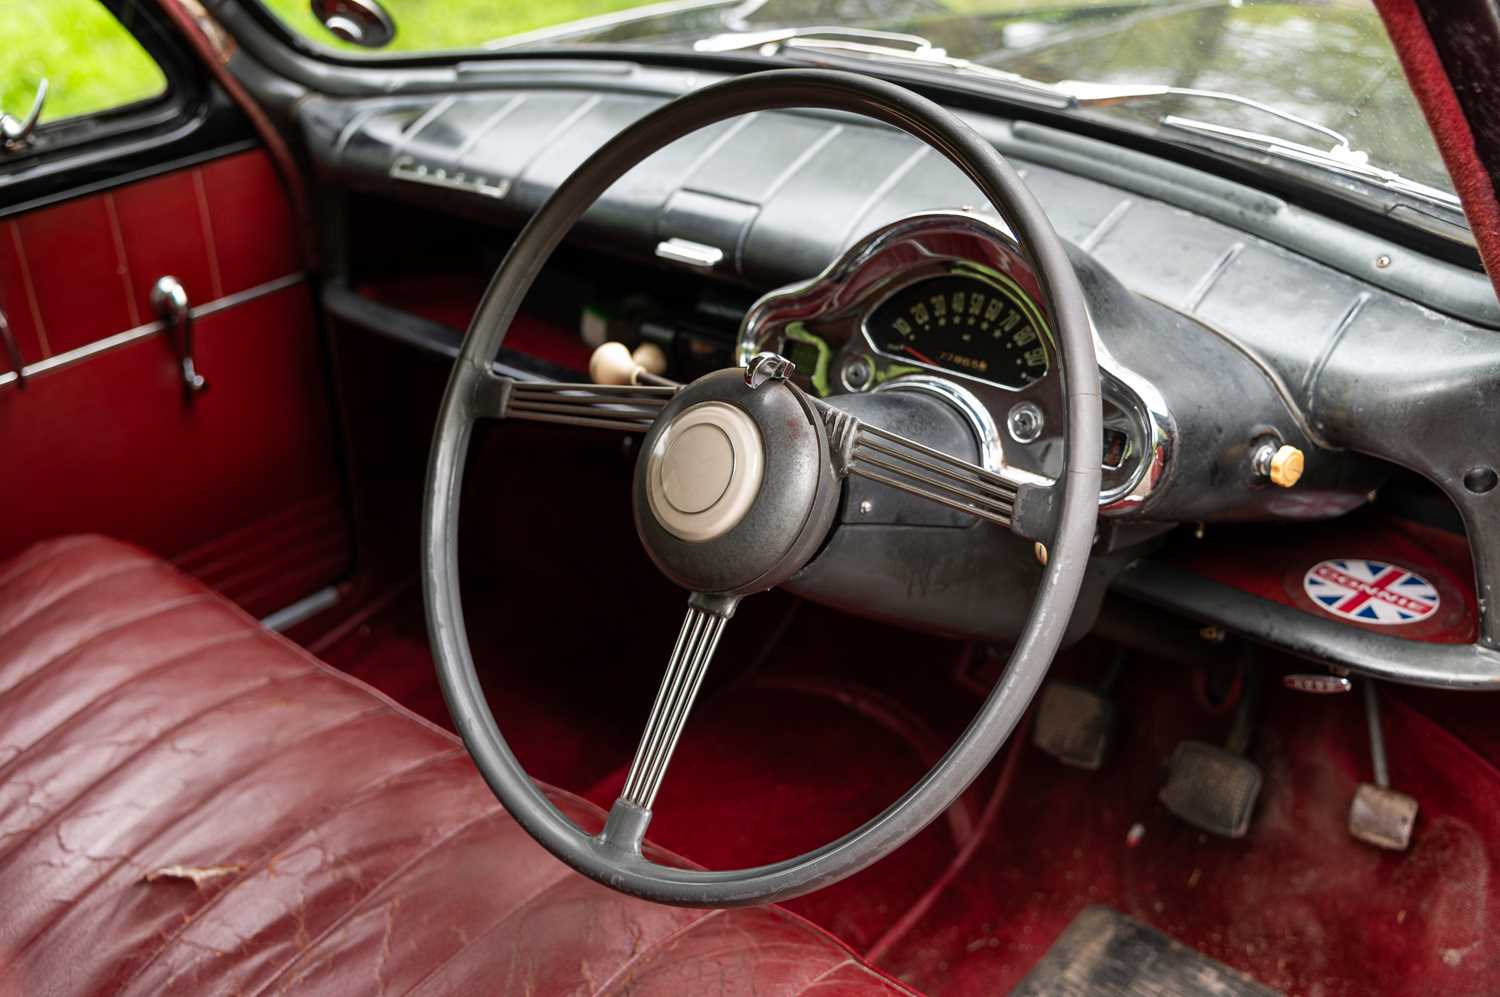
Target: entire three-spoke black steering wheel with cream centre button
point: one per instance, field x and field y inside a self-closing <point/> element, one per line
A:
<point x="736" y="490"/>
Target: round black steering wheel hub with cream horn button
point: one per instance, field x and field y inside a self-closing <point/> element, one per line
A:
<point x="734" y="488"/>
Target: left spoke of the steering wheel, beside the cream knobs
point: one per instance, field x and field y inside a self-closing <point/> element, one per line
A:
<point x="628" y="409"/>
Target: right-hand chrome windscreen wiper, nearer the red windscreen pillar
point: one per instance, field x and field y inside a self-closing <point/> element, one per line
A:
<point x="1342" y="157"/>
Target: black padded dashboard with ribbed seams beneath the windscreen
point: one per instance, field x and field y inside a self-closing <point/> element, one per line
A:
<point x="1225" y="316"/>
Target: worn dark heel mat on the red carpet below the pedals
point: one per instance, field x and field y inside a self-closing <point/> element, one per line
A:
<point x="1103" y="953"/>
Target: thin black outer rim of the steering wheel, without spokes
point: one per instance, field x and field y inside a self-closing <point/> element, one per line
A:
<point x="1078" y="501"/>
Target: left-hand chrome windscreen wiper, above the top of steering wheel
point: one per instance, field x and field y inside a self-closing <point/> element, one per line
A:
<point x="908" y="50"/>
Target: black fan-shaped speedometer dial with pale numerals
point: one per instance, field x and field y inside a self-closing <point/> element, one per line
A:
<point x="968" y="325"/>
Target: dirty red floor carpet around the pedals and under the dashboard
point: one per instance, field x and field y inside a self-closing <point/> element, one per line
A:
<point x="793" y="749"/>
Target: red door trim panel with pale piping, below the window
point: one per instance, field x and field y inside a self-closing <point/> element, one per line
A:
<point x="241" y="484"/>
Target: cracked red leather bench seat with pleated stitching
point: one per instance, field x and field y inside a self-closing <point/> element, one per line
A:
<point x="149" y="731"/>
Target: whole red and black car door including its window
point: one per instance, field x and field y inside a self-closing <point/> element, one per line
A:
<point x="163" y="377"/>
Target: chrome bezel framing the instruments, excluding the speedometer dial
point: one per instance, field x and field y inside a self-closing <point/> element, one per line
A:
<point x="937" y="244"/>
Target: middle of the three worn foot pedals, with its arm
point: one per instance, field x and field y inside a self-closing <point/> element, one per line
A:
<point x="1216" y="789"/>
